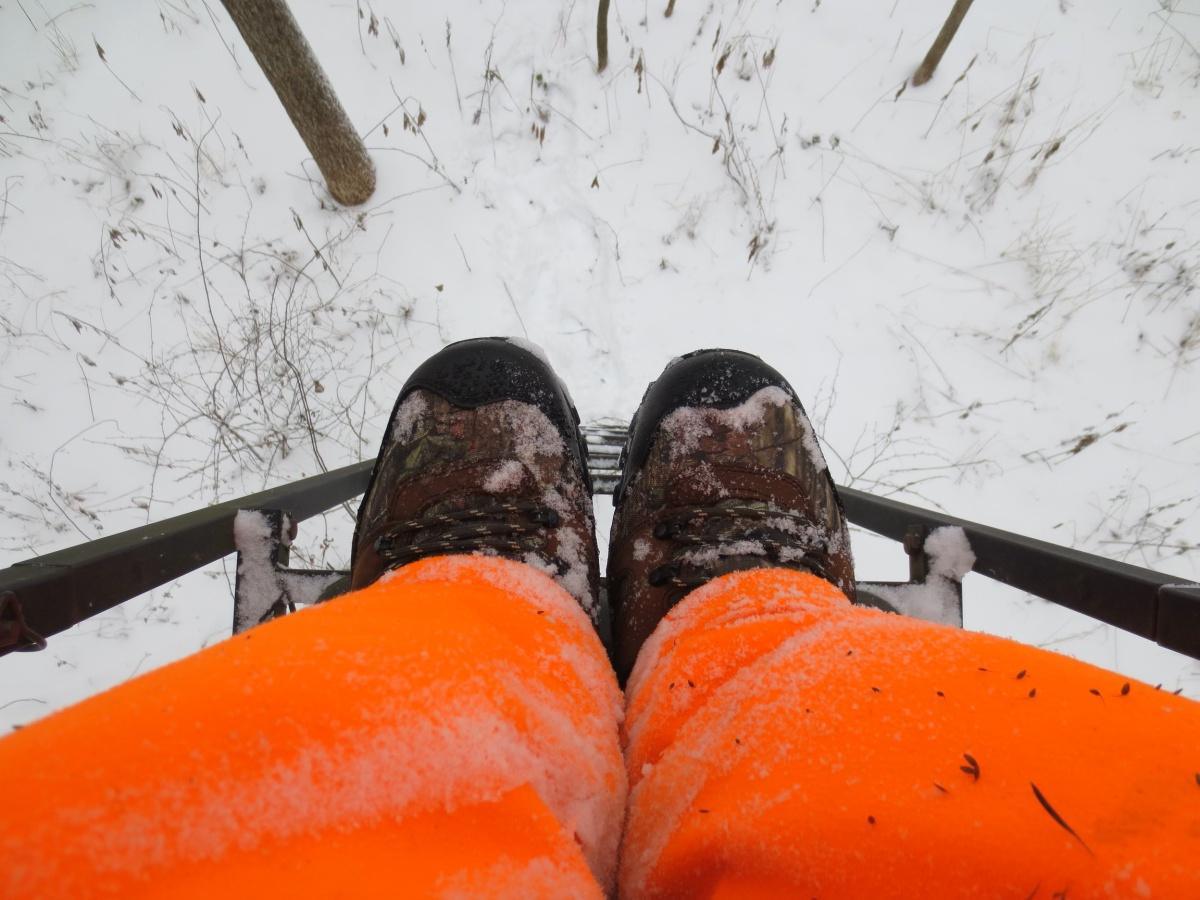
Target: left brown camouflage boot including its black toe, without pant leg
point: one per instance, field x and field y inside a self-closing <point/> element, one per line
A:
<point x="483" y="455"/>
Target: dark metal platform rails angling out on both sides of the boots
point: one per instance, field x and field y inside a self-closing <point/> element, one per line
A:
<point x="61" y="590"/>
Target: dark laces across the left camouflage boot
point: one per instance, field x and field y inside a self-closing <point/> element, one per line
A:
<point x="511" y="529"/>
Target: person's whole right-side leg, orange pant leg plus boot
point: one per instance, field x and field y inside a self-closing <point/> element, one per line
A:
<point x="782" y="742"/>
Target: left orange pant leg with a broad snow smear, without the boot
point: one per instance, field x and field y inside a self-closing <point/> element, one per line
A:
<point x="452" y="728"/>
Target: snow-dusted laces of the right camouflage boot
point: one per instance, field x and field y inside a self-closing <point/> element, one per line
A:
<point x="716" y="541"/>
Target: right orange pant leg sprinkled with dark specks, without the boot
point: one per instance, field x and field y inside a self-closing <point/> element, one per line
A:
<point x="782" y="742"/>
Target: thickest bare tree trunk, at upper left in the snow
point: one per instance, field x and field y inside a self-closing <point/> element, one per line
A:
<point x="291" y="67"/>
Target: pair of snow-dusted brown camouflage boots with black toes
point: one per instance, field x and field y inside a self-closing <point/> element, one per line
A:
<point x="722" y="472"/>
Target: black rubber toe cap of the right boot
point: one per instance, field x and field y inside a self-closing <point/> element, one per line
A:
<point x="721" y="380"/>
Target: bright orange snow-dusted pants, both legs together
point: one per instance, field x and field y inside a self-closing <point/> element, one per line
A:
<point x="457" y="730"/>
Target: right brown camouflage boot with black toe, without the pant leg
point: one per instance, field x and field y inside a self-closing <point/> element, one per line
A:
<point x="721" y="472"/>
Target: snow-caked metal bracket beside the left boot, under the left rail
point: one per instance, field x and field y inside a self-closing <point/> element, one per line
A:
<point x="267" y="587"/>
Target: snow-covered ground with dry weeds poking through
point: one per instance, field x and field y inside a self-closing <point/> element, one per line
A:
<point x="986" y="287"/>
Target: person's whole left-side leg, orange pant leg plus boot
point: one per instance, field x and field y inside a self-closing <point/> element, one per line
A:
<point x="449" y="728"/>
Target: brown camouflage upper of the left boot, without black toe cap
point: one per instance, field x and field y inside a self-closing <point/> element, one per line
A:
<point x="497" y="479"/>
